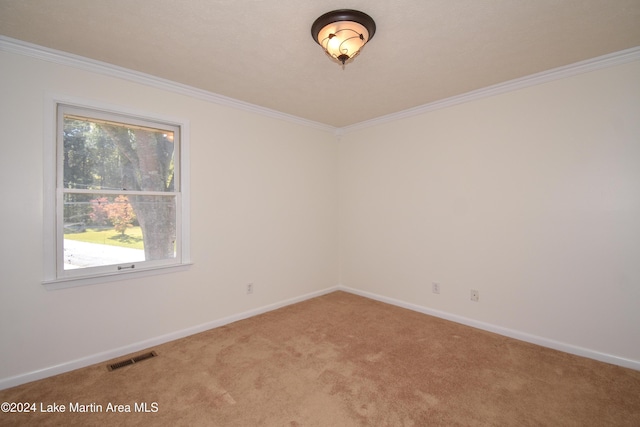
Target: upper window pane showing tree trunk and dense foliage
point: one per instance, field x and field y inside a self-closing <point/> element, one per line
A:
<point x="107" y="155"/>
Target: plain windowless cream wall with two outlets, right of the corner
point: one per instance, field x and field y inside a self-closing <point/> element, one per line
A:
<point x="531" y="197"/>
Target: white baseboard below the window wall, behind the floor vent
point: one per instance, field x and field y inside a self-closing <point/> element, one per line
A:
<point x="142" y="345"/>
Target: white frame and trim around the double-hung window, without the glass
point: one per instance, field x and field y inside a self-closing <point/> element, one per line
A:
<point x="55" y="276"/>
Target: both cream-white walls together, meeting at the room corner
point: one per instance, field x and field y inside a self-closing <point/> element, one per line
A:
<point x="532" y="197"/>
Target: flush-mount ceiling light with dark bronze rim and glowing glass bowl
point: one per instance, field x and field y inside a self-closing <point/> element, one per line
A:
<point x="342" y="33"/>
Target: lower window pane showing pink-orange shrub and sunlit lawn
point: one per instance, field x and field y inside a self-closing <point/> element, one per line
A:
<point x="102" y="230"/>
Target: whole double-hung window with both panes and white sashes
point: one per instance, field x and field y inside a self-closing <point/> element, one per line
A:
<point x="119" y="196"/>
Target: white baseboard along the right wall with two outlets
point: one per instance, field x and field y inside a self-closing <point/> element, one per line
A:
<point x="522" y="336"/>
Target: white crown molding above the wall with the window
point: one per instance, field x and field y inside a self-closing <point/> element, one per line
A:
<point x="20" y="47"/>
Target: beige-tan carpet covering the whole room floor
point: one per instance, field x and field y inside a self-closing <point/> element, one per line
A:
<point x="342" y="360"/>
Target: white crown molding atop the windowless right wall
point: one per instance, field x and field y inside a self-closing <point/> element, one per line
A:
<point x="600" y="62"/>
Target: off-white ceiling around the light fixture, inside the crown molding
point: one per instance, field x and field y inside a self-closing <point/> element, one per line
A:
<point x="261" y="51"/>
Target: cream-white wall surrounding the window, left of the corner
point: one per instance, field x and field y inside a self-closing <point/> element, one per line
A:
<point x="263" y="210"/>
